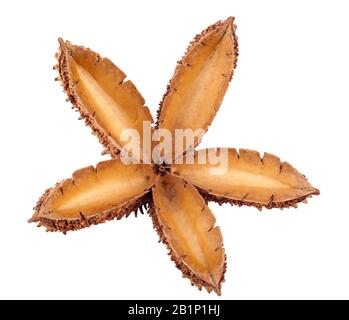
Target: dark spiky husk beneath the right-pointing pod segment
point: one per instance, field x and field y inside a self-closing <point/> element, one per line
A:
<point x="271" y="205"/>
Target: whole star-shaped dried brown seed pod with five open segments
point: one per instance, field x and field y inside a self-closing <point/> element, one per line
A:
<point x="174" y="192"/>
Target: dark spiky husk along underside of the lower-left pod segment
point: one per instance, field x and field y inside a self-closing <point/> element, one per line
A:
<point x="62" y="225"/>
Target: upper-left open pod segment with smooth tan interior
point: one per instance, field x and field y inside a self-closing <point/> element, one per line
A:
<point x="97" y="88"/>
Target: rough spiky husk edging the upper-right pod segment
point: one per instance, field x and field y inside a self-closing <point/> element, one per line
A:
<point x="197" y="39"/>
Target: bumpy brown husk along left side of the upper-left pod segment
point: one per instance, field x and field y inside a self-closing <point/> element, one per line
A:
<point x="68" y="86"/>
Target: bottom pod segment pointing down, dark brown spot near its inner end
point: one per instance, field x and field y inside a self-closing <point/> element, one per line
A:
<point x="186" y="225"/>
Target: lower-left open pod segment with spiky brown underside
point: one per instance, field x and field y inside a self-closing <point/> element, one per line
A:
<point x="93" y="195"/>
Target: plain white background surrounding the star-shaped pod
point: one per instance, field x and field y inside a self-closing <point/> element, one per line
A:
<point x="289" y="96"/>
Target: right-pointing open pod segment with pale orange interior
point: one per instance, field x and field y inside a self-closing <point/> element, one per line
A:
<point x="249" y="179"/>
